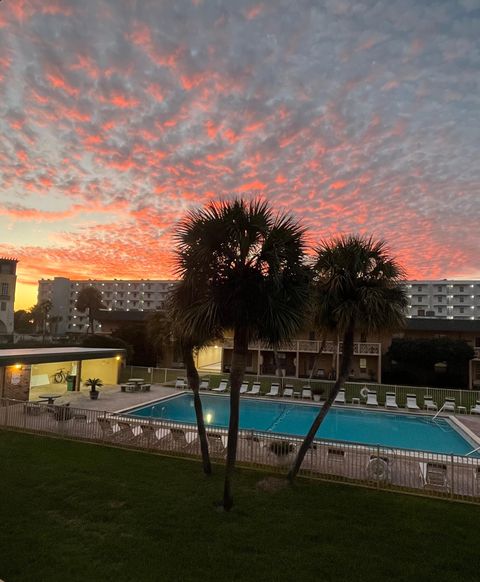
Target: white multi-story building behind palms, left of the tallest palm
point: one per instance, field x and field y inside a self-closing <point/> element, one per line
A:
<point x="117" y="295"/>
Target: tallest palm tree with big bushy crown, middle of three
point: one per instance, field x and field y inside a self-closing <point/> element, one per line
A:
<point x="249" y="265"/>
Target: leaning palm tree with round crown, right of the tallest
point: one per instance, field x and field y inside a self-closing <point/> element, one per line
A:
<point x="356" y="287"/>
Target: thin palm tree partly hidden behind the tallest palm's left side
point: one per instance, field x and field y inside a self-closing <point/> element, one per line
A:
<point x="164" y="328"/>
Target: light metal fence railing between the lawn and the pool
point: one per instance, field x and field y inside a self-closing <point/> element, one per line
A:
<point x="433" y="474"/>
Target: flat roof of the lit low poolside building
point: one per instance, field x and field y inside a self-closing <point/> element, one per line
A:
<point x="45" y="355"/>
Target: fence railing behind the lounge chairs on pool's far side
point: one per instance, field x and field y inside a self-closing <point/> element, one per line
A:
<point x="463" y="398"/>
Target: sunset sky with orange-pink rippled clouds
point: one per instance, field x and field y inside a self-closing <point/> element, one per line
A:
<point x="118" y="116"/>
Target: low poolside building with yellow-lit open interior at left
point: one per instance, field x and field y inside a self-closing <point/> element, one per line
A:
<point x="25" y="373"/>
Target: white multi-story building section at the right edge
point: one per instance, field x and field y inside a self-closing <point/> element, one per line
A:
<point x="444" y="299"/>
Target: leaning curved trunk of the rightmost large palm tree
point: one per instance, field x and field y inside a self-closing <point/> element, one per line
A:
<point x="342" y="376"/>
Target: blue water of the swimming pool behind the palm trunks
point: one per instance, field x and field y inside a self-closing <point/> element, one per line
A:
<point x="344" y="424"/>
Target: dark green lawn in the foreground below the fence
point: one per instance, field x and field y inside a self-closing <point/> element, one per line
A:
<point x="71" y="511"/>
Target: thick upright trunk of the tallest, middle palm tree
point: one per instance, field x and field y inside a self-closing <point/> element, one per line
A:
<point x="237" y="372"/>
